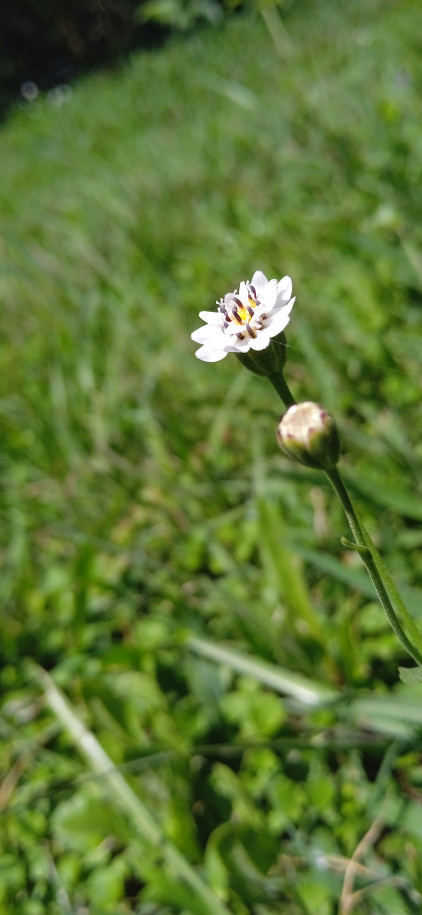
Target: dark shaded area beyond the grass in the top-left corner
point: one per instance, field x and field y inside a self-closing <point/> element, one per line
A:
<point x="49" y="42"/>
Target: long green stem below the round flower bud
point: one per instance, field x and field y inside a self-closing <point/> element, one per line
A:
<point x="380" y="577"/>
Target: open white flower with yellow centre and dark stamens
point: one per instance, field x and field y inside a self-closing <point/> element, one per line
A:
<point x="245" y="319"/>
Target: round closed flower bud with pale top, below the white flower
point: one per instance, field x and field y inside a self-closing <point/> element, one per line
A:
<point x="308" y="434"/>
